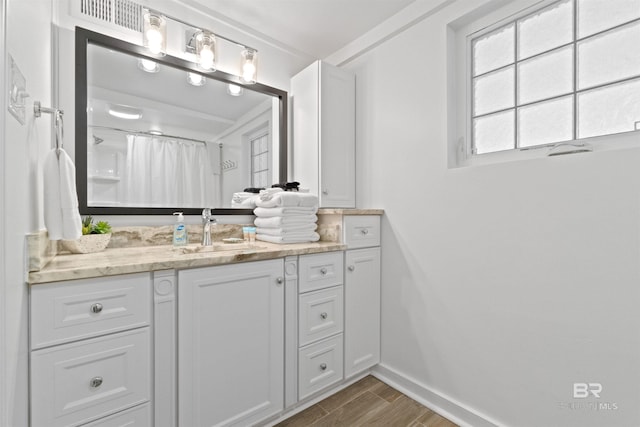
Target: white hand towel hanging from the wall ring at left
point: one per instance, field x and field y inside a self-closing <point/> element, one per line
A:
<point x="61" y="217"/>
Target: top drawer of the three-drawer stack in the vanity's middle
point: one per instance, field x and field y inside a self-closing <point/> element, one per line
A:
<point x="318" y="271"/>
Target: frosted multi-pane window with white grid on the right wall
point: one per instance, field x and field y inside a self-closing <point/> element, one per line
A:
<point x="567" y="71"/>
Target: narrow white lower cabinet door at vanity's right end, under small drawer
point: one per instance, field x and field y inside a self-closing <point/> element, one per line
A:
<point x="362" y="310"/>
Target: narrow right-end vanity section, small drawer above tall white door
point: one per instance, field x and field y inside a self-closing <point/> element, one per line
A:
<point x="362" y="293"/>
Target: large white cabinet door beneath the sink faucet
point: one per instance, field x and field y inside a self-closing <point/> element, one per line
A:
<point x="231" y="343"/>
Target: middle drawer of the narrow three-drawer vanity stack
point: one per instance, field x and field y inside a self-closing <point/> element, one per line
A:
<point x="321" y="314"/>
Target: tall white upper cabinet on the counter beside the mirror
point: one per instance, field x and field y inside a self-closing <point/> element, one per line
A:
<point x="323" y="115"/>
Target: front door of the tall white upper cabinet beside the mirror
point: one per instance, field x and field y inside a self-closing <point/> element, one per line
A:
<point x="337" y="138"/>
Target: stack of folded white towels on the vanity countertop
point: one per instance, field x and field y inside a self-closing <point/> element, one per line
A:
<point x="286" y="216"/>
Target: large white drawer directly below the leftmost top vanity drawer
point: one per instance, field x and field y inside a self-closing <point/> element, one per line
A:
<point x="81" y="382"/>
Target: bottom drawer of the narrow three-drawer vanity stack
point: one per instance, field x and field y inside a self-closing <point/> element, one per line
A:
<point x="320" y="365"/>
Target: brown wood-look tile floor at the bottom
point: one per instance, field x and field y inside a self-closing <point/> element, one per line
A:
<point x="368" y="402"/>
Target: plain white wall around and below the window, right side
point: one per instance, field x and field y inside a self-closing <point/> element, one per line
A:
<point x="503" y="284"/>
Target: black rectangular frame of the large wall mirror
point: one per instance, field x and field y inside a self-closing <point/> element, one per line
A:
<point x="85" y="37"/>
